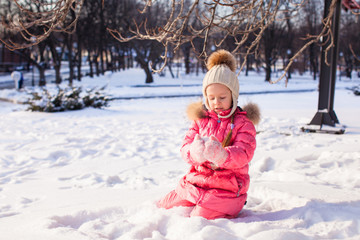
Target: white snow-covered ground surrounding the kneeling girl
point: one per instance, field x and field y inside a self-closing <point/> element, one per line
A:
<point x="97" y="173"/>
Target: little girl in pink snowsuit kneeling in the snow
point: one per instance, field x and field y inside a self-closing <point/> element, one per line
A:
<point x="218" y="146"/>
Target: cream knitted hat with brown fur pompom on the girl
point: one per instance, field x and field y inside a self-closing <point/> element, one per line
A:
<point x="222" y="65"/>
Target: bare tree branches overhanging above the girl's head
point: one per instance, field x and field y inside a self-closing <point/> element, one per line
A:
<point x="239" y="19"/>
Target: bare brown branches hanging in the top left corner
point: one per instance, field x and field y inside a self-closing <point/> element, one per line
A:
<point x="49" y="16"/>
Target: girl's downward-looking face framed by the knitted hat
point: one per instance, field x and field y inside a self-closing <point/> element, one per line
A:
<point x="219" y="97"/>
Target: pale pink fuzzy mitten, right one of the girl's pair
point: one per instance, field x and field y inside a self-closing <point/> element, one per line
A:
<point x="214" y="152"/>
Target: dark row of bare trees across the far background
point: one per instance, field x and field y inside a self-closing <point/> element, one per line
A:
<point x="93" y="45"/>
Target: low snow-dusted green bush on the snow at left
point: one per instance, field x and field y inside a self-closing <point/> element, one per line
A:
<point x="70" y="98"/>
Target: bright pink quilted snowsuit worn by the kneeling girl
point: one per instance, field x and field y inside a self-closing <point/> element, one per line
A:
<point x="222" y="192"/>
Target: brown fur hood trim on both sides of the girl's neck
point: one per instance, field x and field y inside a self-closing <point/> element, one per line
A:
<point x="196" y="111"/>
